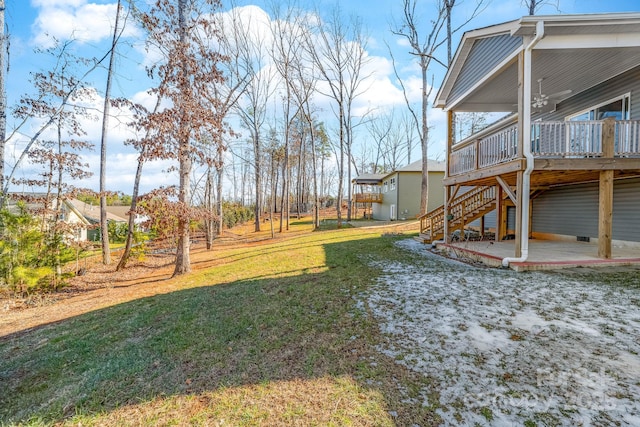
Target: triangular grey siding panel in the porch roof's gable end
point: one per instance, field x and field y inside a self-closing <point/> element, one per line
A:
<point x="484" y="56"/>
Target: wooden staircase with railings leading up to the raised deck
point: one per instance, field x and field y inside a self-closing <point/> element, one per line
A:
<point x="463" y="209"/>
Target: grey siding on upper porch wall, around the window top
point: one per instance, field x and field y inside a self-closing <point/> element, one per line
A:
<point x="613" y="88"/>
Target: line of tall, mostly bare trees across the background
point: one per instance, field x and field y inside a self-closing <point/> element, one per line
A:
<point x="268" y="107"/>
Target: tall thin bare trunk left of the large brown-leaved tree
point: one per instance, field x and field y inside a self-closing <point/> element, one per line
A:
<point x="104" y="229"/>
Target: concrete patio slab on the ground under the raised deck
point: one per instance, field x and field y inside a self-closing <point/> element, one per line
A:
<point x="543" y="254"/>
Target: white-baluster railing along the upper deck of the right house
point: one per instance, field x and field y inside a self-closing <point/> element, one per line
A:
<point x="549" y="139"/>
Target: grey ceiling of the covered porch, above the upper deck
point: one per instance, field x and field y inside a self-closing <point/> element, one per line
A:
<point x="562" y="70"/>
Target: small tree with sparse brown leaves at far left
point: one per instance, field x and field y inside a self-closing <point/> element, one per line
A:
<point x="58" y="154"/>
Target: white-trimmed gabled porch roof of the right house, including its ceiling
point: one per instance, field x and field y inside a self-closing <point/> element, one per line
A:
<point x="575" y="53"/>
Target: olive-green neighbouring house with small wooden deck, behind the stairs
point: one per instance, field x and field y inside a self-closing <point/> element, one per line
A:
<point x="396" y="195"/>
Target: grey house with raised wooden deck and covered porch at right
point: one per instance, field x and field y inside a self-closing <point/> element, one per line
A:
<point x="564" y="162"/>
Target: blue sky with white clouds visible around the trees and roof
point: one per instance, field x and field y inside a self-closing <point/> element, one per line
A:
<point x="31" y="24"/>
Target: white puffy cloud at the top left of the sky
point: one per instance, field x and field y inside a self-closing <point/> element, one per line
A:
<point x="75" y="19"/>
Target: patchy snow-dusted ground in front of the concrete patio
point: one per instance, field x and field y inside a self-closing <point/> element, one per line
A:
<point x="504" y="348"/>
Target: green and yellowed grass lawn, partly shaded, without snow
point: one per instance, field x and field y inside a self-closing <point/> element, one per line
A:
<point x="267" y="333"/>
